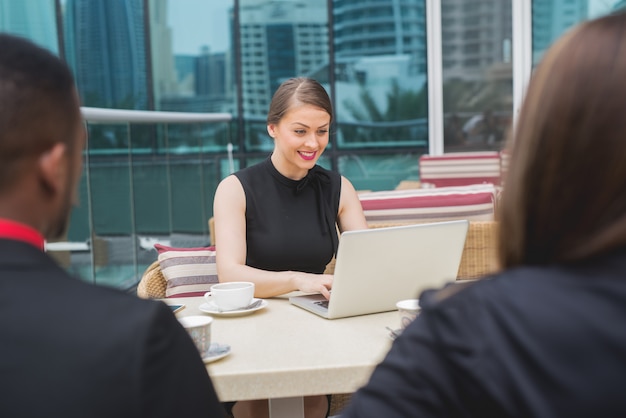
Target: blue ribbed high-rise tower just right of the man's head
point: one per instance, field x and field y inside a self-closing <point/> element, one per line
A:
<point x="106" y="47"/>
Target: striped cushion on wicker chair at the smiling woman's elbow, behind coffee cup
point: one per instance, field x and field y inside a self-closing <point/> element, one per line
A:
<point x="187" y="271"/>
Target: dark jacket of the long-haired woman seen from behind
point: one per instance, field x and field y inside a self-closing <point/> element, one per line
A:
<point x="529" y="342"/>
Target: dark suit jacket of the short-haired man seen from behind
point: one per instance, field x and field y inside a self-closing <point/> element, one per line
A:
<point x="72" y="349"/>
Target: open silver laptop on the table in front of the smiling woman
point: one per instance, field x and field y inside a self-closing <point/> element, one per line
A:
<point x="375" y="268"/>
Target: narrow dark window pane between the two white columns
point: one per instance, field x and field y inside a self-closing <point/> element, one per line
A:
<point x="477" y="73"/>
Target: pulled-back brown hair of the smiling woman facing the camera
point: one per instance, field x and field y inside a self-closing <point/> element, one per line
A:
<point x="295" y="91"/>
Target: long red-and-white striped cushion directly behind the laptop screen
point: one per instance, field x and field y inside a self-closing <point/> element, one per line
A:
<point x="474" y="203"/>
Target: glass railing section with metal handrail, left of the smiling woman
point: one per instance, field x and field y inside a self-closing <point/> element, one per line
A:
<point x="148" y="177"/>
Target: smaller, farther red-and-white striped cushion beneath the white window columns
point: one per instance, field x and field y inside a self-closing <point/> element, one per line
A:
<point x="460" y="169"/>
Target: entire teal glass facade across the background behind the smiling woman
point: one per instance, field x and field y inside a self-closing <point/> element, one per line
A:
<point x="149" y="182"/>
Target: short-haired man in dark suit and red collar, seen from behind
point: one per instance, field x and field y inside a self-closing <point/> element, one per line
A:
<point x="68" y="348"/>
